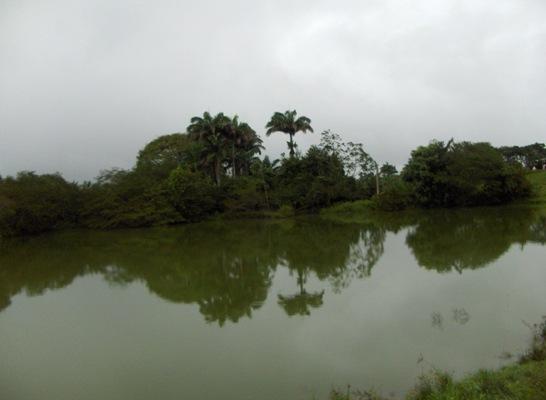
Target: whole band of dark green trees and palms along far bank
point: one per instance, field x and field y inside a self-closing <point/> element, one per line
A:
<point x="215" y="167"/>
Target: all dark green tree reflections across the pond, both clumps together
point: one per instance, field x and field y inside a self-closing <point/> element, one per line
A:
<point x="226" y="269"/>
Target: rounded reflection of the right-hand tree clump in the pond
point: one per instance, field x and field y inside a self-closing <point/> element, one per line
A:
<point x="455" y="240"/>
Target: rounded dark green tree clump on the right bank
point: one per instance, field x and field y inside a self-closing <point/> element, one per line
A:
<point x="463" y="174"/>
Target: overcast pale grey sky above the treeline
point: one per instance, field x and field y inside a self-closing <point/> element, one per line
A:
<point x="84" y="84"/>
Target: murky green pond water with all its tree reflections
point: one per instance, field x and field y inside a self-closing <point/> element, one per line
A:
<point x="267" y="310"/>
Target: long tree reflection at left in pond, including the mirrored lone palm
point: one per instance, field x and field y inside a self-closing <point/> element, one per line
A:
<point x="225" y="269"/>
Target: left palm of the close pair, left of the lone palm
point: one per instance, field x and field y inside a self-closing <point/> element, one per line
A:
<point x="211" y="132"/>
